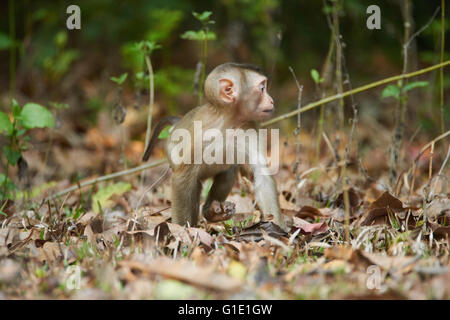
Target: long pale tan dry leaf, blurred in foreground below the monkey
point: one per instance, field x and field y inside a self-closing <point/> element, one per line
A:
<point x="188" y="272"/>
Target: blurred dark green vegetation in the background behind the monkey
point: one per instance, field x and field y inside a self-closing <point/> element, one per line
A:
<point x="70" y="70"/>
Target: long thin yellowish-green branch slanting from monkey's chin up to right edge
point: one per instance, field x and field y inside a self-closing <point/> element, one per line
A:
<point x="366" y="87"/>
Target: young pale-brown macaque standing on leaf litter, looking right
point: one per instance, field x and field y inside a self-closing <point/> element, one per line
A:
<point x="237" y="98"/>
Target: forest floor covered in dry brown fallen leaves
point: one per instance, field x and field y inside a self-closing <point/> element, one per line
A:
<point x="114" y="239"/>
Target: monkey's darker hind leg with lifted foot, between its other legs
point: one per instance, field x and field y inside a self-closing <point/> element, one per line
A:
<point x="215" y="209"/>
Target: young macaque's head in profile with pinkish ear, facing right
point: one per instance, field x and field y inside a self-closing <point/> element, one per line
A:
<point x="242" y="89"/>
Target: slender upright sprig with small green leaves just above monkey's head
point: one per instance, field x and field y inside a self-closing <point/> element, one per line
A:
<point x="202" y="35"/>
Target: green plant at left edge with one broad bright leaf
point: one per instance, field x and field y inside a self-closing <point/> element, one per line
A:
<point x="31" y="116"/>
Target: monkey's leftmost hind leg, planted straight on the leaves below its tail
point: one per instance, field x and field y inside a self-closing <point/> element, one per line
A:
<point x="186" y="189"/>
